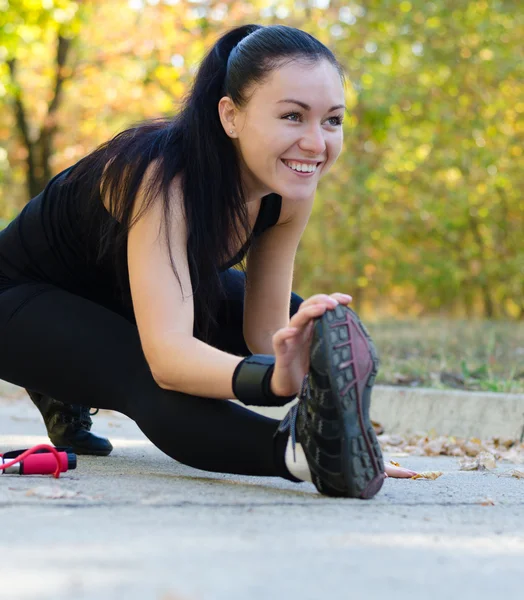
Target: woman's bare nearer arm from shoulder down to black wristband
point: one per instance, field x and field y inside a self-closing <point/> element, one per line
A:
<point x="164" y="314"/>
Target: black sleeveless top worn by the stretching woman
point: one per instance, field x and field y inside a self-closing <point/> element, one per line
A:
<point x="51" y="241"/>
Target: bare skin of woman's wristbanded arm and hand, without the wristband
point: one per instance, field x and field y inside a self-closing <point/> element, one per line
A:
<point x="164" y="315"/>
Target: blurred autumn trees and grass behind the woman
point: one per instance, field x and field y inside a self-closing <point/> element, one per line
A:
<point x="421" y="219"/>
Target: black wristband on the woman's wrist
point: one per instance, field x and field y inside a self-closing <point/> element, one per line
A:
<point x="252" y="382"/>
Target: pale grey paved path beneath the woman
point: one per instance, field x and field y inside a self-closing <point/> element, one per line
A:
<point x="137" y="525"/>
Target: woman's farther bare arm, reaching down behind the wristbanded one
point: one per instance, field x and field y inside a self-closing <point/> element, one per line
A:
<point x="269" y="276"/>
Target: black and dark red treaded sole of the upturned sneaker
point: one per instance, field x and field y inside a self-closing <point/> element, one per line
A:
<point x="351" y="364"/>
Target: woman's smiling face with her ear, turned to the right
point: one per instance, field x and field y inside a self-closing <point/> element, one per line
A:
<point x="291" y="123"/>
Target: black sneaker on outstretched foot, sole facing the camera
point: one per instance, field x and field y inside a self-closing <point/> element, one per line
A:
<point x="331" y="420"/>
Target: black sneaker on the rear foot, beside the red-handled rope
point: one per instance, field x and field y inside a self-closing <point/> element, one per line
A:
<point x="70" y="425"/>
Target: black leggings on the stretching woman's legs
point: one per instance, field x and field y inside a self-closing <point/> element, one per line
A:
<point x="72" y="349"/>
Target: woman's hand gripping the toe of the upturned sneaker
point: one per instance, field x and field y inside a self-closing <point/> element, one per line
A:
<point x="291" y="344"/>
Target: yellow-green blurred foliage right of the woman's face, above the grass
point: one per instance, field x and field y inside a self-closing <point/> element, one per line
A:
<point x="426" y="203"/>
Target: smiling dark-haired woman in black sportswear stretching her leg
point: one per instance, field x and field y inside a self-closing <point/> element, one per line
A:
<point x="118" y="292"/>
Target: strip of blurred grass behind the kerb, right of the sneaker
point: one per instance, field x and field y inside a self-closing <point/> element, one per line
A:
<point x="445" y="353"/>
